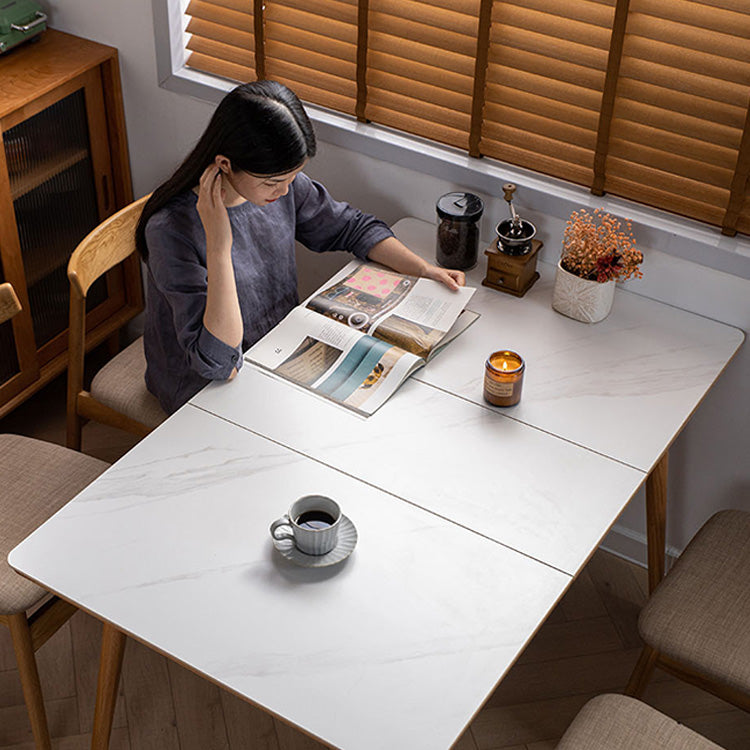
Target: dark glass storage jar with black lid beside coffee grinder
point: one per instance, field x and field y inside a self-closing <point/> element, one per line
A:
<point x="458" y="230"/>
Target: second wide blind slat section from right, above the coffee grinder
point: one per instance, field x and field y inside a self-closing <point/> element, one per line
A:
<point x="545" y="77"/>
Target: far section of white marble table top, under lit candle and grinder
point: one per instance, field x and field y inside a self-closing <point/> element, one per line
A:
<point x="623" y="387"/>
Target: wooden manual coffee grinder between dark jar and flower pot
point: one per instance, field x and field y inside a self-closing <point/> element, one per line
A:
<point x="511" y="259"/>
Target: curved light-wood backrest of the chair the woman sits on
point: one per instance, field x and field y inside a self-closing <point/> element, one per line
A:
<point x="104" y="247"/>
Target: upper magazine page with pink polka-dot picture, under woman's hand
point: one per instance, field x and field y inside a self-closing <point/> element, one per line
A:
<point x="412" y="313"/>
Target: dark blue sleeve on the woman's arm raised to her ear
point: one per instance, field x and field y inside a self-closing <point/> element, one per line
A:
<point x="176" y="269"/>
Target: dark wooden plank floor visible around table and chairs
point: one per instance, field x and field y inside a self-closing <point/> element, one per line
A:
<point x="588" y="646"/>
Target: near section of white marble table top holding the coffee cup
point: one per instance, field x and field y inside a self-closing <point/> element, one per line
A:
<point x="395" y="648"/>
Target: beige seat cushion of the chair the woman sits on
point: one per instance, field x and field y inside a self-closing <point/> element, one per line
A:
<point x="120" y="385"/>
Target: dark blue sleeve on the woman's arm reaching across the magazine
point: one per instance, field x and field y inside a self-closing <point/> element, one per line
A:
<point x="325" y="224"/>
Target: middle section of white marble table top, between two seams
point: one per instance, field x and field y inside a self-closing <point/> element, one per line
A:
<point x="520" y="486"/>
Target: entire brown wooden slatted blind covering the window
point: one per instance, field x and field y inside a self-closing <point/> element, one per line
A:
<point x="644" y="99"/>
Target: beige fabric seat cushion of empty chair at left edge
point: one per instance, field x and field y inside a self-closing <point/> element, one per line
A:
<point x="36" y="480"/>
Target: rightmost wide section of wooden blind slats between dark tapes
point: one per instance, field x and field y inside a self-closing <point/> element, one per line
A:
<point x="681" y="105"/>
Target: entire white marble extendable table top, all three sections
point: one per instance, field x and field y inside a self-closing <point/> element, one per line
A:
<point x="471" y="519"/>
